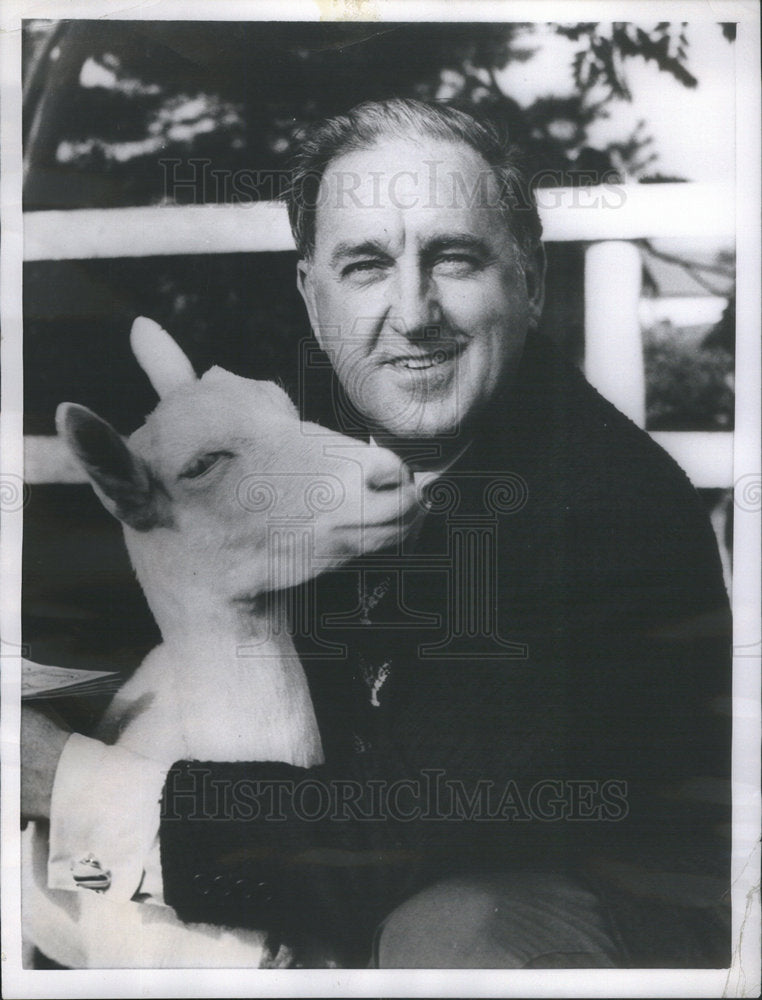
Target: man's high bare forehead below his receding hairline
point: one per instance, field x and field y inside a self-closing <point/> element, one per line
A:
<point x="428" y="184"/>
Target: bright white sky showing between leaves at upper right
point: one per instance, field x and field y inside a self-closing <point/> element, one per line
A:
<point x="694" y="130"/>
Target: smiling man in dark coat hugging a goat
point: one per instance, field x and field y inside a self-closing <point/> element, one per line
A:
<point x="517" y="706"/>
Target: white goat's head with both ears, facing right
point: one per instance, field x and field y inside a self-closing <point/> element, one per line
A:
<point x="224" y="493"/>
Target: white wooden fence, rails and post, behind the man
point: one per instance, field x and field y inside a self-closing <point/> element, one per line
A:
<point x="606" y="216"/>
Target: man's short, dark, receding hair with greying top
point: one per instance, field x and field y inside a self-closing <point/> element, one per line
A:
<point x="363" y="126"/>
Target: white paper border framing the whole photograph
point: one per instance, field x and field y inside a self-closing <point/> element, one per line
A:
<point x="742" y="979"/>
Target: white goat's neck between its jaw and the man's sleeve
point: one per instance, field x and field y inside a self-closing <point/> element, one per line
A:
<point x="230" y="684"/>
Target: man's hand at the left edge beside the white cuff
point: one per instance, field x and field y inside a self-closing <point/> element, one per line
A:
<point x="43" y="735"/>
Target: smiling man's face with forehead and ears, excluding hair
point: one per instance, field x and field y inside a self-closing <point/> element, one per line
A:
<point x="415" y="289"/>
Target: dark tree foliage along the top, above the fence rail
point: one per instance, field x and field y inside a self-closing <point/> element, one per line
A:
<point x="106" y="99"/>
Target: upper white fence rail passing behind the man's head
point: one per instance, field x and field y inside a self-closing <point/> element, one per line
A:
<point x="605" y="212"/>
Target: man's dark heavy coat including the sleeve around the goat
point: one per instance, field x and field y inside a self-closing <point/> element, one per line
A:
<point x="543" y="667"/>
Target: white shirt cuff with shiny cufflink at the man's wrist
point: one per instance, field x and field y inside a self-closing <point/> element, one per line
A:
<point x="105" y="807"/>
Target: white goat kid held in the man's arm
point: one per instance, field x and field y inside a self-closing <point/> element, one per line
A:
<point x="225" y="497"/>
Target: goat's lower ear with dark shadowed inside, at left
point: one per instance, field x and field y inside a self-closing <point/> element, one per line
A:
<point x="119" y="477"/>
